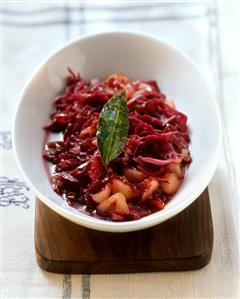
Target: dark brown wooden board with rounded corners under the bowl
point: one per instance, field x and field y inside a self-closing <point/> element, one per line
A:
<point x="182" y="243"/>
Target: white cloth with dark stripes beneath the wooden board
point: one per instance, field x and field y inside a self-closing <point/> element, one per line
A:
<point x="30" y="32"/>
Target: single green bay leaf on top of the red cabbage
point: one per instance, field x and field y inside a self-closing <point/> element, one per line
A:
<point x="112" y="130"/>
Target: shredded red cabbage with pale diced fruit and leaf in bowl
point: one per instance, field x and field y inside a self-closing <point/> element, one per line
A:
<point x="123" y="148"/>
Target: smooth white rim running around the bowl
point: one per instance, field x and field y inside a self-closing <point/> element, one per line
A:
<point x="145" y="222"/>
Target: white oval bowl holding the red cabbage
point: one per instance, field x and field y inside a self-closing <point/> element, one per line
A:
<point x="141" y="57"/>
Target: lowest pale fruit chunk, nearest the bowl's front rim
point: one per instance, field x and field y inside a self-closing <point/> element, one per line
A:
<point x="115" y="203"/>
